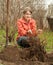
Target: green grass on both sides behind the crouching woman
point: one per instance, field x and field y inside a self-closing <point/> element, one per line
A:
<point x="47" y="35"/>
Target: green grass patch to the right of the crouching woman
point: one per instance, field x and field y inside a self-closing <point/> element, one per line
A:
<point x="48" y="36"/>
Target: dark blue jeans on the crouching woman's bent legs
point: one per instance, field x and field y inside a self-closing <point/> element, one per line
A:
<point x="22" y="41"/>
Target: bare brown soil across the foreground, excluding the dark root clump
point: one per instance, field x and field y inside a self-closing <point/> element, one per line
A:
<point x="11" y="56"/>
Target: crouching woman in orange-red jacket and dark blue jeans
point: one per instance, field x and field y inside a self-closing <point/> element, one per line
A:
<point x="26" y="27"/>
